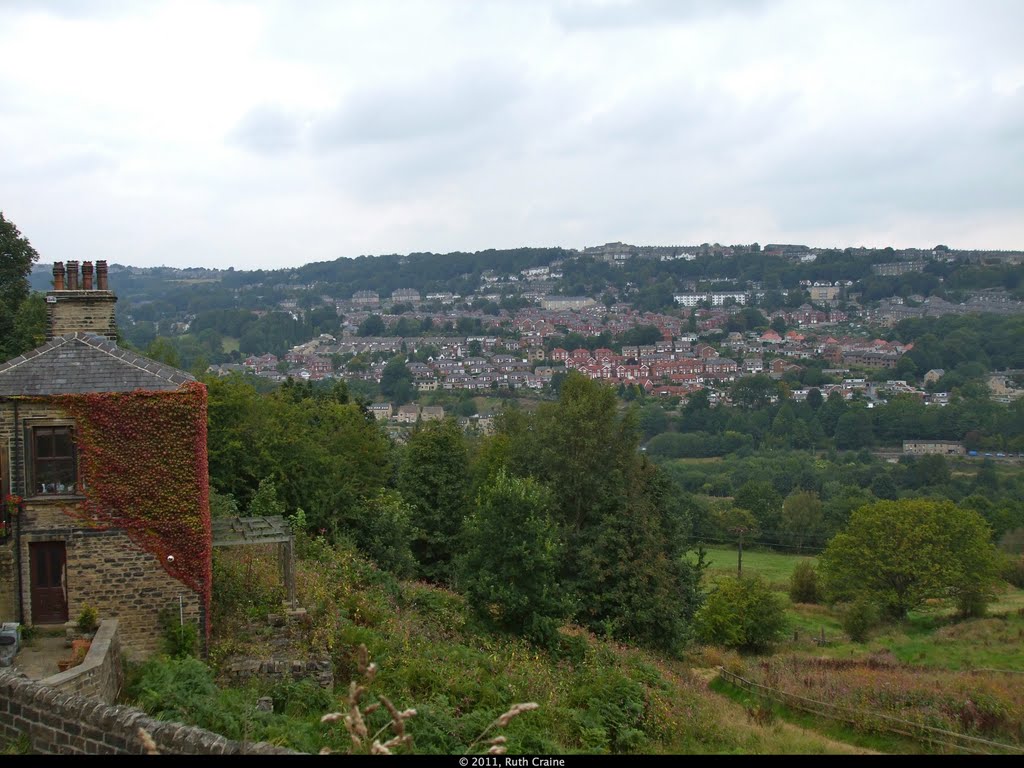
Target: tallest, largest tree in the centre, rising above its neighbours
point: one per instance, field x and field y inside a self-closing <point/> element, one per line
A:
<point x="623" y="524"/>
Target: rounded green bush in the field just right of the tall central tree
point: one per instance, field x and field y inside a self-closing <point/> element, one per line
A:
<point x="742" y="614"/>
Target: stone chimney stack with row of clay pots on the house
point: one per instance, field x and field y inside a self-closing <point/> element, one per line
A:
<point x="74" y="308"/>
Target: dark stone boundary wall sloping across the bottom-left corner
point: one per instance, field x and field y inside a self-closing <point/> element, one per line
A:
<point x="61" y="723"/>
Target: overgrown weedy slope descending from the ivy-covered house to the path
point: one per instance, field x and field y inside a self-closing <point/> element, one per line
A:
<point x="594" y="696"/>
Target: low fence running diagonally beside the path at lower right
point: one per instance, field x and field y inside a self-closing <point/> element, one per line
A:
<point x="876" y="721"/>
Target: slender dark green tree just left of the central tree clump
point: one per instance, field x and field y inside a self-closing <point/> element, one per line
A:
<point x="434" y="478"/>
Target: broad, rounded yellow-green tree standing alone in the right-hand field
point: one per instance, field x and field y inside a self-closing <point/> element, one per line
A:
<point x="900" y="556"/>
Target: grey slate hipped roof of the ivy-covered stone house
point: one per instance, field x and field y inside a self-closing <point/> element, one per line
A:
<point x="82" y="363"/>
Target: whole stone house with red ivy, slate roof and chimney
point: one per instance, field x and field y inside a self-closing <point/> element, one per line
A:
<point x="80" y="530"/>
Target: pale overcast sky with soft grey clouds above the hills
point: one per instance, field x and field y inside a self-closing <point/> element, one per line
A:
<point x="274" y="134"/>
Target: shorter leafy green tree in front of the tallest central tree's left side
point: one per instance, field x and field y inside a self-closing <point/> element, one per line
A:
<point x="509" y="567"/>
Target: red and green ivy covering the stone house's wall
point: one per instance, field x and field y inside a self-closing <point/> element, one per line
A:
<point x="144" y="460"/>
